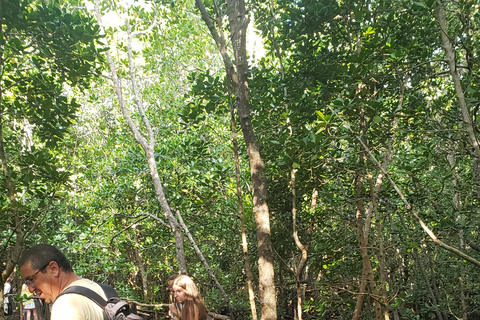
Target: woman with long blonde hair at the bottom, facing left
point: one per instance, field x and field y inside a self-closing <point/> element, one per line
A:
<point x="190" y="304"/>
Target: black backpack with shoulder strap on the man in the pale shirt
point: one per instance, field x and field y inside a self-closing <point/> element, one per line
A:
<point x="114" y="308"/>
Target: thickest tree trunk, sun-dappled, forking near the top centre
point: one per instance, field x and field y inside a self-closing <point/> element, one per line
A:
<point x="237" y="75"/>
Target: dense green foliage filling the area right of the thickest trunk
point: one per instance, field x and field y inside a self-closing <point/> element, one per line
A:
<point x="340" y="59"/>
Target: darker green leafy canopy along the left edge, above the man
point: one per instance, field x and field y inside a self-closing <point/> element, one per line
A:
<point x="46" y="53"/>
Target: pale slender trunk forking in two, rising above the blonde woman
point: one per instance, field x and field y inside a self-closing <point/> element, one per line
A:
<point x="147" y="145"/>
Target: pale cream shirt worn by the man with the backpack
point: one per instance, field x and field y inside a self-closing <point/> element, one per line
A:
<point x="72" y="306"/>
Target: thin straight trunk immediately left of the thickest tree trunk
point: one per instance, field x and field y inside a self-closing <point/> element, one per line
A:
<point x="243" y="229"/>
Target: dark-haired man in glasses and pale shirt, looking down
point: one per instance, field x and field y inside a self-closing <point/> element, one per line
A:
<point x="47" y="272"/>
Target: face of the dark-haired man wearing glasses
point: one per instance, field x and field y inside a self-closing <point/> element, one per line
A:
<point x="40" y="281"/>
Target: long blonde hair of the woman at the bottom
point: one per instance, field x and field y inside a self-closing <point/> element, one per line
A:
<point x="194" y="306"/>
